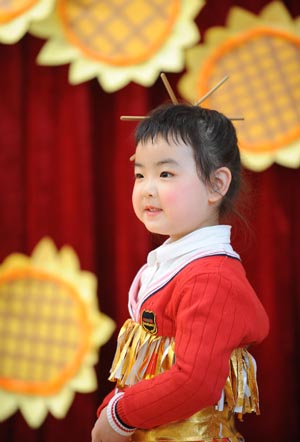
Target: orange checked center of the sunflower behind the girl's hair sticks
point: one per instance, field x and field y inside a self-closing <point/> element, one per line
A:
<point x="264" y="87"/>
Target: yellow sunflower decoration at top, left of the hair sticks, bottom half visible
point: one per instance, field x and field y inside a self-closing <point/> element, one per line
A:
<point x="118" y="41"/>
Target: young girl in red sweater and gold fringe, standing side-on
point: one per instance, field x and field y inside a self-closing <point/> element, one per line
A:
<point x="182" y="368"/>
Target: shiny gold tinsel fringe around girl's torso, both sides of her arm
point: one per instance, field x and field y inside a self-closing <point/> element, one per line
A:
<point x="141" y="355"/>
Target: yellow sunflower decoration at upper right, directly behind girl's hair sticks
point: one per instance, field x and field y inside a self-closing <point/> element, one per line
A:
<point x="261" y="54"/>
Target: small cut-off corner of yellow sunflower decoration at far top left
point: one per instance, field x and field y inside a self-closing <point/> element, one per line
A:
<point x="16" y="15"/>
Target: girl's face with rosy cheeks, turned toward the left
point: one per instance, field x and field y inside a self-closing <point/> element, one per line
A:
<point x="168" y="195"/>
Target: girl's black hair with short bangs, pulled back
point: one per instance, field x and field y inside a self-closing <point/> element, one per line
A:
<point x="211" y="135"/>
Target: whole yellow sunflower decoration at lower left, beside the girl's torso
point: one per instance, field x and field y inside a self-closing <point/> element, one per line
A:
<point x="50" y="331"/>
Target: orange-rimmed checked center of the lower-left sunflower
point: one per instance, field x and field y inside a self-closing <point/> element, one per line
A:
<point x="43" y="330"/>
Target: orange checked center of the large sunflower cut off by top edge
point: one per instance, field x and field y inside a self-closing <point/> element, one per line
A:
<point x="118" y="32"/>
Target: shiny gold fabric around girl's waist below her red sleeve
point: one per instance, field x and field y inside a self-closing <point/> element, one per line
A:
<point x="206" y="425"/>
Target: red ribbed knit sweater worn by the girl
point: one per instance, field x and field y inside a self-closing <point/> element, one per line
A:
<point x="211" y="309"/>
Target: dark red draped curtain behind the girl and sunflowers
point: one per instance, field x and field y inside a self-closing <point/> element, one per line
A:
<point x="64" y="172"/>
